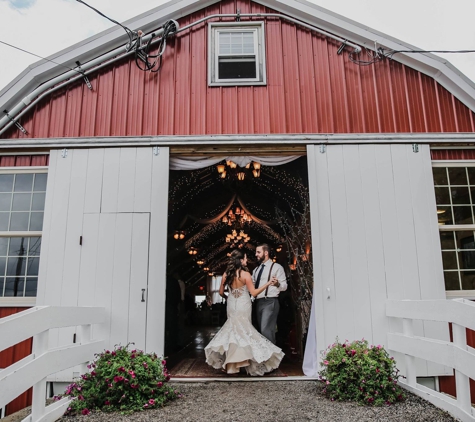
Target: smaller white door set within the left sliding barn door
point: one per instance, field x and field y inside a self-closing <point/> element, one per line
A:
<point x="114" y="267"/>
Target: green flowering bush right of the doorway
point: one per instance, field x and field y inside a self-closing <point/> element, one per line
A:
<point x="361" y="373"/>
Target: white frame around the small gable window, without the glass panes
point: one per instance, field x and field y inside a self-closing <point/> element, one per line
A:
<point x="257" y="28"/>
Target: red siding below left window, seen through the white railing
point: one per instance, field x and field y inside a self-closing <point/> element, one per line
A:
<point x="14" y="354"/>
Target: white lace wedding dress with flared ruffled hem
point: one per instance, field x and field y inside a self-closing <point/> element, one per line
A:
<point x="238" y="344"/>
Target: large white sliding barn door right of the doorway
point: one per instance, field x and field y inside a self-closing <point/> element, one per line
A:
<point x="381" y="243"/>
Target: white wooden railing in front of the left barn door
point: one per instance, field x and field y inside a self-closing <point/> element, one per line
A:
<point x="33" y="370"/>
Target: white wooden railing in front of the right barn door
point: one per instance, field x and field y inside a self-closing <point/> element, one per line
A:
<point x="456" y="354"/>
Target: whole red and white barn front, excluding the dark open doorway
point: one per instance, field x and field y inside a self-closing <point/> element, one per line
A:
<point x="386" y="138"/>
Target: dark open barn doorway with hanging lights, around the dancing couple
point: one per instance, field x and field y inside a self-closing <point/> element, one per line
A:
<point x="214" y="209"/>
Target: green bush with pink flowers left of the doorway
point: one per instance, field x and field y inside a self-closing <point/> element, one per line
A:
<point x="121" y="380"/>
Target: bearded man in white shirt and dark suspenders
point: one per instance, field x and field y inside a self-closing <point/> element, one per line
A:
<point x="267" y="302"/>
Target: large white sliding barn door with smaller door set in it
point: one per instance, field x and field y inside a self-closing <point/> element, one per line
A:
<point x="96" y="194"/>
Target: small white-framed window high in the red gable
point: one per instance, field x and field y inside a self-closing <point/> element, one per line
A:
<point x="236" y="54"/>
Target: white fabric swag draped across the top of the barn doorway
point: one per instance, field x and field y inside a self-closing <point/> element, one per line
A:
<point x="193" y="162"/>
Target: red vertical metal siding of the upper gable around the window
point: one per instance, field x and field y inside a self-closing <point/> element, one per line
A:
<point x="310" y="89"/>
